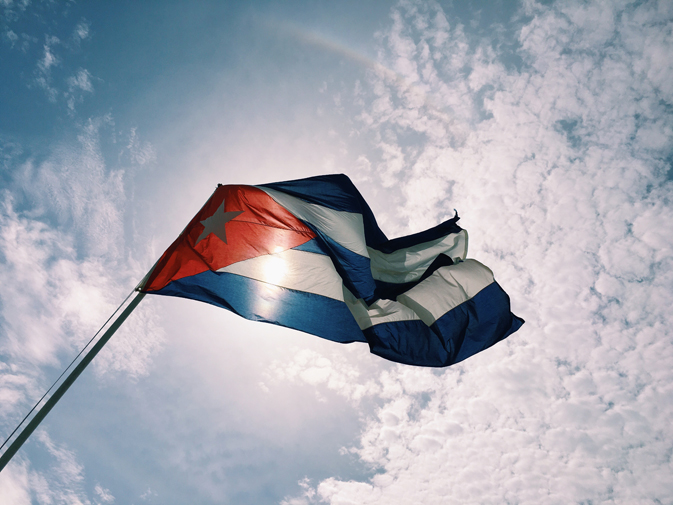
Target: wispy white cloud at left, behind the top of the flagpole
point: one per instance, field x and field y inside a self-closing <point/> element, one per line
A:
<point x="69" y="277"/>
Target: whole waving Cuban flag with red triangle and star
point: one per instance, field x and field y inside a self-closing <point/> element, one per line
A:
<point x="309" y="255"/>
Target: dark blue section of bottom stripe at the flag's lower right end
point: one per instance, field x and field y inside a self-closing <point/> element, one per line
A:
<point x="471" y="327"/>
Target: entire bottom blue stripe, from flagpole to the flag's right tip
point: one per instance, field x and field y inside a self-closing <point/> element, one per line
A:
<point x="460" y="333"/>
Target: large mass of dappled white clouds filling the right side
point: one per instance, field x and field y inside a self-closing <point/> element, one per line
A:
<point x="558" y="168"/>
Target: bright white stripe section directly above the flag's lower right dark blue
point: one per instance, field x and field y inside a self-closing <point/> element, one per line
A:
<point x="446" y="288"/>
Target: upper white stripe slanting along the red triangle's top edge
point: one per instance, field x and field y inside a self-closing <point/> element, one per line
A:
<point x="345" y="228"/>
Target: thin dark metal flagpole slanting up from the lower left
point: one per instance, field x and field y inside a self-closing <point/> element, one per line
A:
<point x="41" y="414"/>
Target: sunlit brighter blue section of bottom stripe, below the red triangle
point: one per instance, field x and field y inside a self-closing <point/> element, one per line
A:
<point x="259" y="301"/>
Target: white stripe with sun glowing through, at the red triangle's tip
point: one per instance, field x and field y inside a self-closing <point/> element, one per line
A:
<point x="299" y="270"/>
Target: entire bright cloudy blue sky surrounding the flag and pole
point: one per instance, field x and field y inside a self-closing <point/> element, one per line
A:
<point x="547" y="125"/>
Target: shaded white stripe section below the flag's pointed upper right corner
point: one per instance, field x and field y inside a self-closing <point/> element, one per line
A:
<point x="406" y="265"/>
